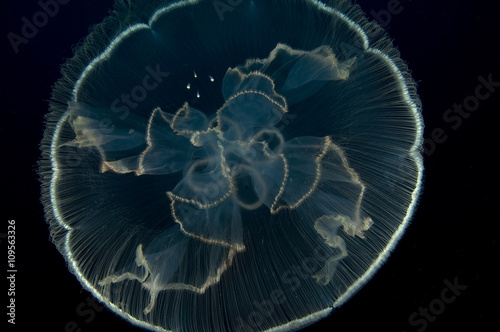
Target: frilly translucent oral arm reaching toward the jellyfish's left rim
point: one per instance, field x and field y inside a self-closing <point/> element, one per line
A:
<point x="166" y="137"/>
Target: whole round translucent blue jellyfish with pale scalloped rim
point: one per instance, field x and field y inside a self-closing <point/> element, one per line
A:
<point x="222" y="165"/>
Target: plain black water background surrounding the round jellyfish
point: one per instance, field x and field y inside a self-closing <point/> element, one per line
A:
<point x="447" y="45"/>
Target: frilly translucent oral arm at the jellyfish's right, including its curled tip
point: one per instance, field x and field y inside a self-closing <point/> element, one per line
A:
<point x="321" y="178"/>
